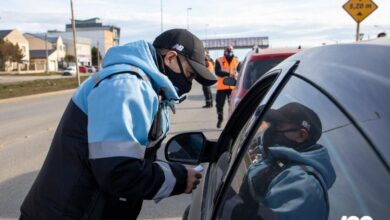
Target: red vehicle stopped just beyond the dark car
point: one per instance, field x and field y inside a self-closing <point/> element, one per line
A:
<point x="256" y="63"/>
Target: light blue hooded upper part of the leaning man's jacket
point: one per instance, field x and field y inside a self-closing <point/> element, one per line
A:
<point x="125" y="116"/>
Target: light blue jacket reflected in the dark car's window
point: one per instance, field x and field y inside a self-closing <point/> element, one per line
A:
<point x="296" y="193"/>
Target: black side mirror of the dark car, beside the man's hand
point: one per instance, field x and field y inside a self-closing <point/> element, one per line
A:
<point x="186" y="148"/>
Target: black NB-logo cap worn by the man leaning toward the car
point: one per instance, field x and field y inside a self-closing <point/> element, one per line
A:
<point x="188" y="45"/>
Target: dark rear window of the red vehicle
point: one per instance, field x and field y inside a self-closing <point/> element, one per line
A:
<point x="257" y="68"/>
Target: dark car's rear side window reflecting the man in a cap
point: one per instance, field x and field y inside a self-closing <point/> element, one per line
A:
<point x="306" y="160"/>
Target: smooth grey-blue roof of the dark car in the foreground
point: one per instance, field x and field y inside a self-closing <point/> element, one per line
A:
<point x="357" y="76"/>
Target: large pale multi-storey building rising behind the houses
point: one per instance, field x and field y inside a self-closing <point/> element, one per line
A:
<point x="102" y="36"/>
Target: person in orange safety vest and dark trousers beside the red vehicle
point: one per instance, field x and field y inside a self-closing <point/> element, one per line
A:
<point x="226" y="66"/>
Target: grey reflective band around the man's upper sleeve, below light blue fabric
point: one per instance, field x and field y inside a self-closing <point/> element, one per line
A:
<point x="116" y="149"/>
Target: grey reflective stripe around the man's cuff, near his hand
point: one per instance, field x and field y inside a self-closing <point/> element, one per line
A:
<point x="169" y="183"/>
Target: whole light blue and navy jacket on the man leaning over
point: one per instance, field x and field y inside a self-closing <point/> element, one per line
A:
<point x="101" y="144"/>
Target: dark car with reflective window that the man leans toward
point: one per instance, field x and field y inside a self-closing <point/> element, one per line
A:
<point x="310" y="140"/>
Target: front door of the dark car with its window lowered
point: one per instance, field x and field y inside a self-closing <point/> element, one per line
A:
<point x="204" y="199"/>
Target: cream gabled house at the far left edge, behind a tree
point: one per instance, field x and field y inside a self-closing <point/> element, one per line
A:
<point x="17" y="38"/>
